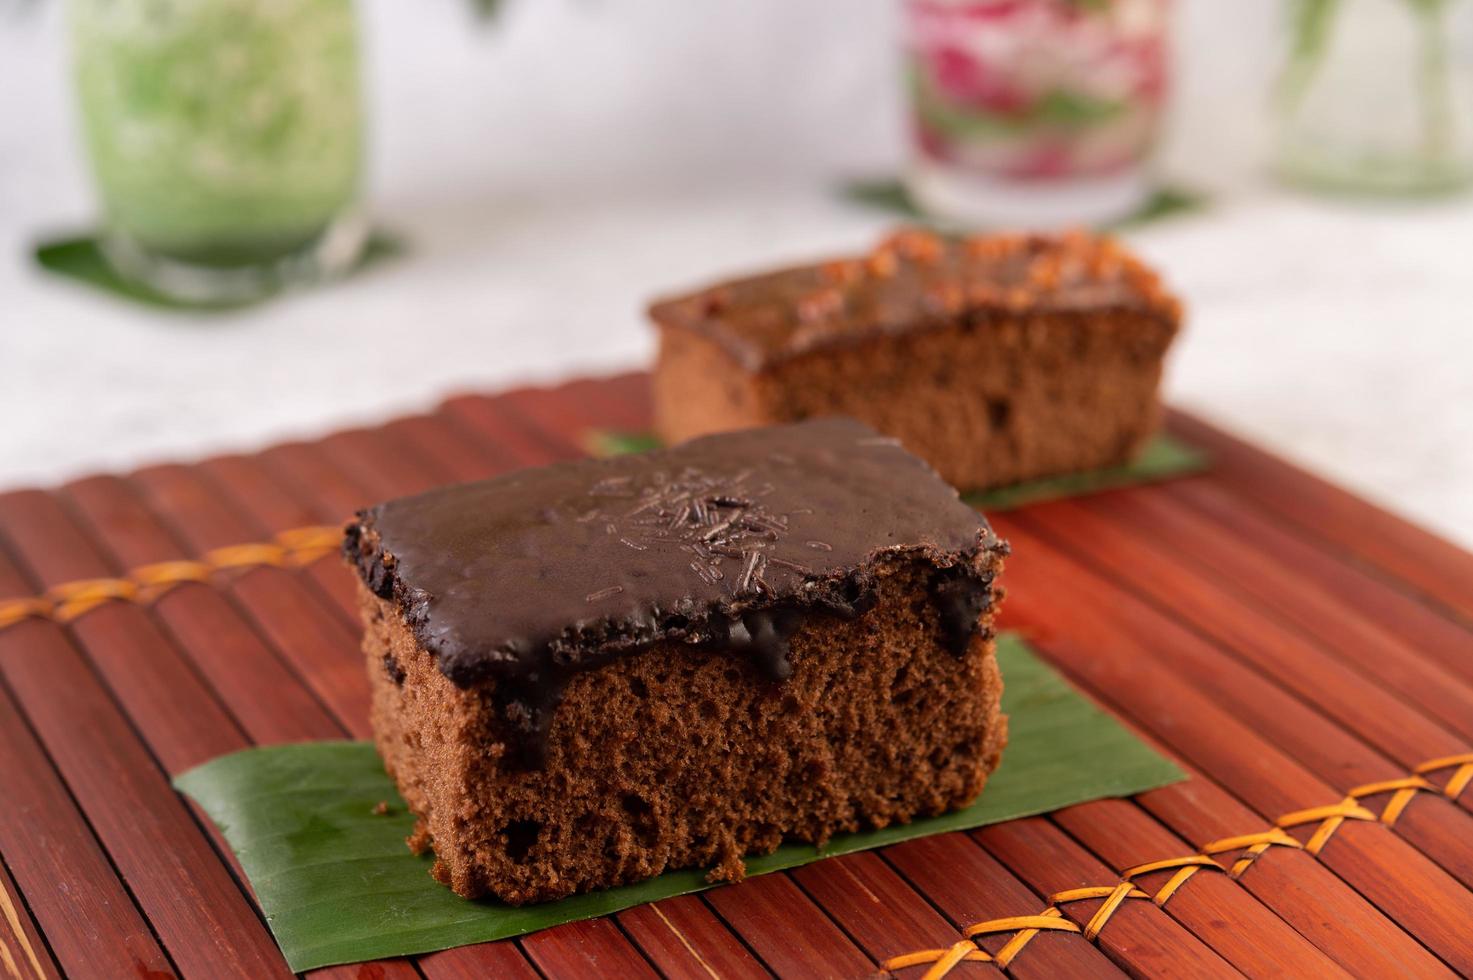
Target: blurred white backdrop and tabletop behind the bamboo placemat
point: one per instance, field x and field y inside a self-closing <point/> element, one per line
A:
<point x="555" y="172"/>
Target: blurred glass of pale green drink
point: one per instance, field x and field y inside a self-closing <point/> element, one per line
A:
<point x="226" y="141"/>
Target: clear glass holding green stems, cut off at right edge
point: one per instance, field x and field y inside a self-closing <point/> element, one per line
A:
<point x="1377" y="97"/>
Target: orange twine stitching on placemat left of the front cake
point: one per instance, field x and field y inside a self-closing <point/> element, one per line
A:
<point x="64" y="603"/>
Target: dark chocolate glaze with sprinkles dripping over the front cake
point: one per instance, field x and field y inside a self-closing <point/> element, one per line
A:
<point x="728" y="542"/>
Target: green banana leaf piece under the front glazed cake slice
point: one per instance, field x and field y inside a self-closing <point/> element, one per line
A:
<point x="320" y="829"/>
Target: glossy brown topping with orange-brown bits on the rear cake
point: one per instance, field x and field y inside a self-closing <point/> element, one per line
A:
<point x="915" y="281"/>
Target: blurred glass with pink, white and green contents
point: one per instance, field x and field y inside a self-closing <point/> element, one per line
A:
<point x="1035" y="113"/>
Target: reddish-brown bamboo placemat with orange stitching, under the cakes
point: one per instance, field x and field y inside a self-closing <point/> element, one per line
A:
<point x="1304" y="655"/>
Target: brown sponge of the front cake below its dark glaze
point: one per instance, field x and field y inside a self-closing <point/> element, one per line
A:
<point x="683" y="758"/>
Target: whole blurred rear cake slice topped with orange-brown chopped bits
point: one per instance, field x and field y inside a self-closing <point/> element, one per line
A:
<point x="998" y="359"/>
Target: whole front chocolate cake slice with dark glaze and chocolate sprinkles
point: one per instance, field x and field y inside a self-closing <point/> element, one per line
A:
<point x="593" y="673"/>
